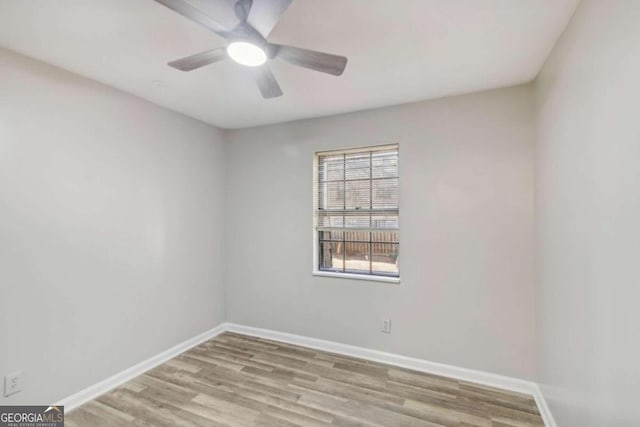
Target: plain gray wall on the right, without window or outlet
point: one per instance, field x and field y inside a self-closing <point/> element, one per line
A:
<point x="588" y="213"/>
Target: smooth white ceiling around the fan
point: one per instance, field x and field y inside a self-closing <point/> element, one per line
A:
<point x="399" y="51"/>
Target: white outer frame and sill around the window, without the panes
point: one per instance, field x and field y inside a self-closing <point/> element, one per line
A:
<point x="316" y="250"/>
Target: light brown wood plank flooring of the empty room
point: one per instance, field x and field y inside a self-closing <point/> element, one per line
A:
<point x="236" y="380"/>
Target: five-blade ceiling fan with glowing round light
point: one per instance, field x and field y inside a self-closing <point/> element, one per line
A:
<point x="246" y="24"/>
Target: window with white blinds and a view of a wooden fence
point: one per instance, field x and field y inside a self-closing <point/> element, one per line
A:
<point x="357" y="213"/>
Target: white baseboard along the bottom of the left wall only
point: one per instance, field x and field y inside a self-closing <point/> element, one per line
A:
<point x="89" y="393"/>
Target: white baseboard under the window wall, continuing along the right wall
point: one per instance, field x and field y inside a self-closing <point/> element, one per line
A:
<point x="485" y="378"/>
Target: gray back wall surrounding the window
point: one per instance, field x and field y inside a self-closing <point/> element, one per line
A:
<point x="466" y="200"/>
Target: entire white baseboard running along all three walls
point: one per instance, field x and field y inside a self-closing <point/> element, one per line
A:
<point x="464" y="374"/>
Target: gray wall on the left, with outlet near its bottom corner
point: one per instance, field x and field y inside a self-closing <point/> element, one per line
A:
<point x="110" y="229"/>
